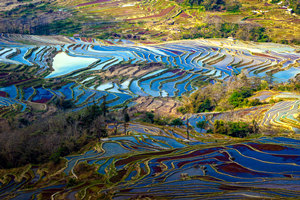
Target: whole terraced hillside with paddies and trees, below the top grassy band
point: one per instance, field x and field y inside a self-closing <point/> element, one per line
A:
<point x="108" y="118"/>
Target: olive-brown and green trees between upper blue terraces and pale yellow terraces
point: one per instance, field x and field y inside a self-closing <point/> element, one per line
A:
<point x="224" y="96"/>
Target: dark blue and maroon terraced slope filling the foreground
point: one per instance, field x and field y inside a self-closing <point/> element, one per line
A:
<point x="151" y="165"/>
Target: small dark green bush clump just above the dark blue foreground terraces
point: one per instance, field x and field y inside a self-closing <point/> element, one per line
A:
<point x="235" y="129"/>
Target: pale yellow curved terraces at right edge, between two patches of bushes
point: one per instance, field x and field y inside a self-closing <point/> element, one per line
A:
<point x="281" y="115"/>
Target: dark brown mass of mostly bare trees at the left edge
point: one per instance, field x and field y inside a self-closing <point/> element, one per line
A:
<point x="52" y="137"/>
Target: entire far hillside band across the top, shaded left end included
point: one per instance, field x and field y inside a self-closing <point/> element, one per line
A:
<point x="162" y="20"/>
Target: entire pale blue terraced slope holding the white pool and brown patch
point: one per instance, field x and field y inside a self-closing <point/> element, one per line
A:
<point x="86" y="71"/>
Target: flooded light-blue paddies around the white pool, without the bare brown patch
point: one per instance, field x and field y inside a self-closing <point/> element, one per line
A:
<point x="82" y="61"/>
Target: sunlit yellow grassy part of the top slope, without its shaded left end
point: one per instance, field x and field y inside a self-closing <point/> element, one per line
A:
<point x="169" y="20"/>
